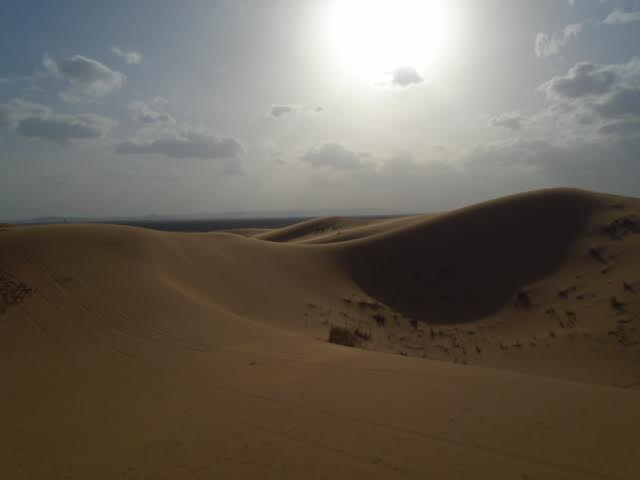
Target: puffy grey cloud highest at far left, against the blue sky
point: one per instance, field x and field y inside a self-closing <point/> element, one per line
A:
<point x="87" y="79"/>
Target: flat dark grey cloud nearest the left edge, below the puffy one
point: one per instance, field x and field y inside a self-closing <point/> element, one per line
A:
<point x="62" y="128"/>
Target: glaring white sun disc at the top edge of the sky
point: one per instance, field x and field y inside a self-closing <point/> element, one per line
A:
<point x="375" y="37"/>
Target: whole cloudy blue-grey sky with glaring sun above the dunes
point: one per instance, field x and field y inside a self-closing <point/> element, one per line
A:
<point x="127" y="108"/>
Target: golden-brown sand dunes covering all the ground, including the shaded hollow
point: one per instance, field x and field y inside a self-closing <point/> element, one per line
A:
<point x="127" y="353"/>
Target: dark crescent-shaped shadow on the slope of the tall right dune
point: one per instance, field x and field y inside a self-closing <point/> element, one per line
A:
<point x="467" y="264"/>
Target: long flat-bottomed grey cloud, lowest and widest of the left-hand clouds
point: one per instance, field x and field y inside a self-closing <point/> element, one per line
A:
<point x="188" y="144"/>
